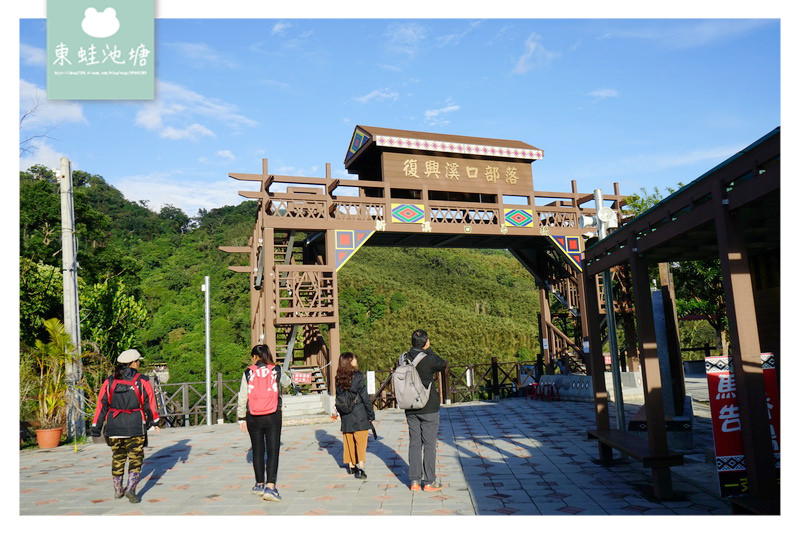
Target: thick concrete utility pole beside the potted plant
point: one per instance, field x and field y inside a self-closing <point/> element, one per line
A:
<point x="74" y="369"/>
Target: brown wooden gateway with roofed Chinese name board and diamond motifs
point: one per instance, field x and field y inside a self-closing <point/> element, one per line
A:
<point x="411" y="189"/>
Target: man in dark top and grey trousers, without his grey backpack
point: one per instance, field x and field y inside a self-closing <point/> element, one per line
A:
<point x="423" y="423"/>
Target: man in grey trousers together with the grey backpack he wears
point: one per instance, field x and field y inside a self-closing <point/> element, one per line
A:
<point x="417" y="394"/>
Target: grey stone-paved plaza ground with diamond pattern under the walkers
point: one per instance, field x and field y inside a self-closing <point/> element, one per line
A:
<point x="508" y="457"/>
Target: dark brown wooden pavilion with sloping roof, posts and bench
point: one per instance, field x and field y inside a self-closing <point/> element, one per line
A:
<point x="730" y="213"/>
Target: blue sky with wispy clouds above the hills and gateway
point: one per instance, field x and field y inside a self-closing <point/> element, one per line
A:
<point x="647" y="102"/>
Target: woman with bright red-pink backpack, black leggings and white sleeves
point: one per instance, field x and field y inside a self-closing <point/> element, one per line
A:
<point x="259" y="414"/>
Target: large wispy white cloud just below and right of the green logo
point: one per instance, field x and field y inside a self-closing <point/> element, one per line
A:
<point x="175" y="111"/>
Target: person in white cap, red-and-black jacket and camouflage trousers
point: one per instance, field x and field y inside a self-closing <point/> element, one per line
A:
<point x="126" y="408"/>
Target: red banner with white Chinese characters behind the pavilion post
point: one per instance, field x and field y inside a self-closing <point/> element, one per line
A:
<point x="730" y="461"/>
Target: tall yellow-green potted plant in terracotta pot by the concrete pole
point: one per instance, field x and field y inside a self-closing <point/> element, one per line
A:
<point x="49" y="362"/>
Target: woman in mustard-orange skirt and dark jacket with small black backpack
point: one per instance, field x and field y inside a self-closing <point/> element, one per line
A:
<point x="356" y="413"/>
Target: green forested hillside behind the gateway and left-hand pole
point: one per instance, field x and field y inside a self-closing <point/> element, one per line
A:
<point x="141" y="272"/>
